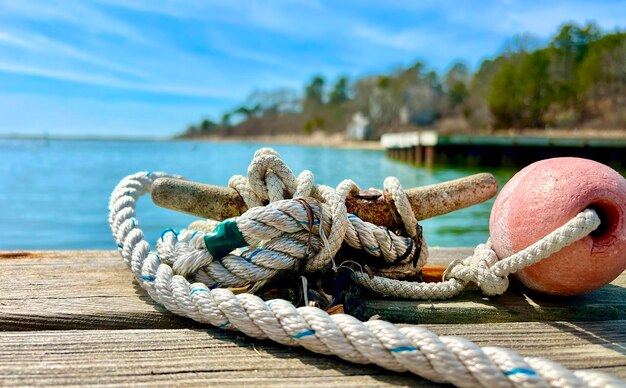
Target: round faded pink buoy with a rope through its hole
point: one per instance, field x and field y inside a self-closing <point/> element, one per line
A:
<point x="545" y="195"/>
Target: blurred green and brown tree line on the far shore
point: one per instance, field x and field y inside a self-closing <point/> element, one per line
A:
<point x="577" y="79"/>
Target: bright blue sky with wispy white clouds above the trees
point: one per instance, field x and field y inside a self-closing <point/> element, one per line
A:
<point x="151" y="67"/>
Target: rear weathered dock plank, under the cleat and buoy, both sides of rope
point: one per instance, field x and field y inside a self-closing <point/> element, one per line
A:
<point x="93" y="289"/>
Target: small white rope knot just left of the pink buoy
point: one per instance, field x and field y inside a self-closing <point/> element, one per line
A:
<point x="479" y="268"/>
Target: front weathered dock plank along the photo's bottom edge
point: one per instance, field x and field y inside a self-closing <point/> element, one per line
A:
<point x="212" y="356"/>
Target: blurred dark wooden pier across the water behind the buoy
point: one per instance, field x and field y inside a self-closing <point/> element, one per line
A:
<point x="427" y="148"/>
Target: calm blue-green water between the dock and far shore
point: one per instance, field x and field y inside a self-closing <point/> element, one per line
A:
<point x="54" y="193"/>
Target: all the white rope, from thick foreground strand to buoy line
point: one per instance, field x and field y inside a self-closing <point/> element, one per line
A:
<point x="306" y="233"/>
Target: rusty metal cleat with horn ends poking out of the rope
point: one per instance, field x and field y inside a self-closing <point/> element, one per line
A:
<point x="220" y="203"/>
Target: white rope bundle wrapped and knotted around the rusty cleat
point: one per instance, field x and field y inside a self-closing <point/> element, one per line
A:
<point x="281" y="236"/>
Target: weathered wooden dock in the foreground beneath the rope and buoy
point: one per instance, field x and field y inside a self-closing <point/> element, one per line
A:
<point x="77" y="318"/>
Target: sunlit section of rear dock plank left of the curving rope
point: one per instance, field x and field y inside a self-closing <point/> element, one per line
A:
<point x="75" y="290"/>
